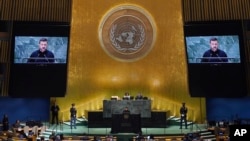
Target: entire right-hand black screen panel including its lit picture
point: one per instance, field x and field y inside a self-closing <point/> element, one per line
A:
<point x="215" y="55"/>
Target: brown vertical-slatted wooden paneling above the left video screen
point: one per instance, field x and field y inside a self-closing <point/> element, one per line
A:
<point x="36" y="10"/>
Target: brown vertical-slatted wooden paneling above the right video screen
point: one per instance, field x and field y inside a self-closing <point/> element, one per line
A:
<point x="202" y="10"/>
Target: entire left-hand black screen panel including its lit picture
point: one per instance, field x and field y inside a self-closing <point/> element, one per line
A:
<point x="39" y="59"/>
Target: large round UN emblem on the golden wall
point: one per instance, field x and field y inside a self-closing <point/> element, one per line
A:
<point x="127" y="33"/>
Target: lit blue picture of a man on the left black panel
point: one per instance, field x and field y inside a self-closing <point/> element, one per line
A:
<point x="40" y="49"/>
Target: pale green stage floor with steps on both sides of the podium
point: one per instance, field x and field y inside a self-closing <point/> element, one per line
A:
<point x="160" y="132"/>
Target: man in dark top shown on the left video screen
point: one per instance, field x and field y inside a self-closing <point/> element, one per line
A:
<point x="42" y="55"/>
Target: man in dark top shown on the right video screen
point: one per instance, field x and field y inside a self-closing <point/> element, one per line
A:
<point x="214" y="54"/>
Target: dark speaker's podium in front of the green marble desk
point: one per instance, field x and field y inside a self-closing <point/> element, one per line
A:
<point x="126" y="123"/>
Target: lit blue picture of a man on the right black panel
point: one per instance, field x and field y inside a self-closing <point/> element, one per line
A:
<point x="213" y="49"/>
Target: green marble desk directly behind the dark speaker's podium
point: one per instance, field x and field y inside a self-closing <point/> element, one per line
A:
<point x="142" y="107"/>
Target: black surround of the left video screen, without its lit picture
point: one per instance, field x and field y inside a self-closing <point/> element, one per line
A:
<point x="43" y="79"/>
